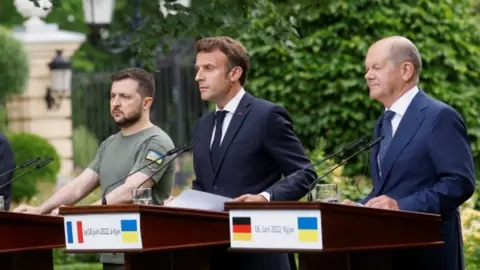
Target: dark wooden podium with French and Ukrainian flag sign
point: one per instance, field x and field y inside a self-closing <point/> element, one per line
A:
<point x="148" y="235"/>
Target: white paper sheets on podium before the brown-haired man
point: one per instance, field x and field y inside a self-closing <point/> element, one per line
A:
<point x="195" y="199"/>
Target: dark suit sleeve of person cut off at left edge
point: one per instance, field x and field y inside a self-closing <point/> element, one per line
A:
<point x="7" y="162"/>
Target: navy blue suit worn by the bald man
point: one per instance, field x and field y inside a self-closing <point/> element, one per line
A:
<point x="428" y="168"/>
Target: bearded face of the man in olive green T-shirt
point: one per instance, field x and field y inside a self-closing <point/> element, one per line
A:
<point x="126" y="105"/>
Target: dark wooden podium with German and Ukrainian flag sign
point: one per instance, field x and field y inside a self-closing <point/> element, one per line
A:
<point x="330" y="236"/>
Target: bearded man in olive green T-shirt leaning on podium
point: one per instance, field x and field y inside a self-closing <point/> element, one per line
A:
<point x="138" y="143"/>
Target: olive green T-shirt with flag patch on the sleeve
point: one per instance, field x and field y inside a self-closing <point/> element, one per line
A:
<point x="120" y="155"/>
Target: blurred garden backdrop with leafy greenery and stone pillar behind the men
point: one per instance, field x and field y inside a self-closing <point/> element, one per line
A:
<point x="56" y="59"/>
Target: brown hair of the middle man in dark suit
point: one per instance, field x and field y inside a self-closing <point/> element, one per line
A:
<point x="236" y="54"/>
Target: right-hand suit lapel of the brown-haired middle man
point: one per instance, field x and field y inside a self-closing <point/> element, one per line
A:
<point x="237" y="119"/>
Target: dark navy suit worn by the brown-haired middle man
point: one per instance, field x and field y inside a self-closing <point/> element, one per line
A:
<point x="258" y="148"/>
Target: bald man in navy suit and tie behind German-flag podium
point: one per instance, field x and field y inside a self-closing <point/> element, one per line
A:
<point x="424" y="163"/>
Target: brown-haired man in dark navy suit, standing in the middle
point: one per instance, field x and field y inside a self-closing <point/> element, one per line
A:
<point x="246" y="145"/>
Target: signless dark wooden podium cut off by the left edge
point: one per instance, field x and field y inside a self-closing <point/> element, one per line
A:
<point x="27" y="240"/>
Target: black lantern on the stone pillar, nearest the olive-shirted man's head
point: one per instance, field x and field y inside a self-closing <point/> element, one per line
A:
<point x="61" y="70"/>
